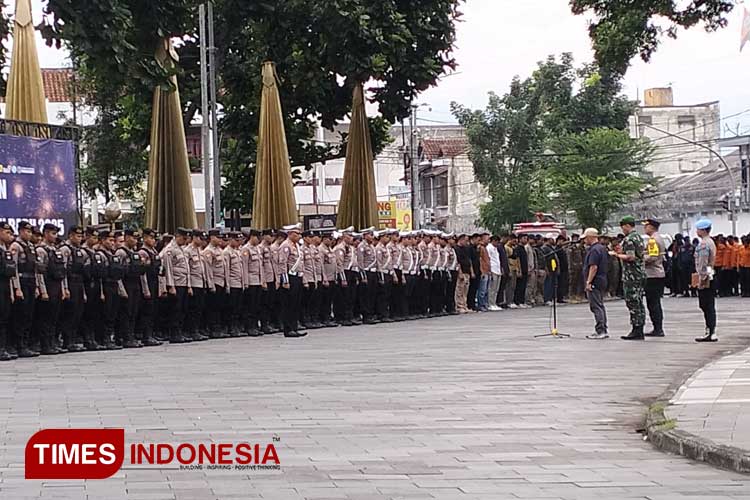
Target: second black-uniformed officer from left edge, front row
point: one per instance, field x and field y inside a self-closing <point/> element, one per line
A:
<point x="23" y="307"/>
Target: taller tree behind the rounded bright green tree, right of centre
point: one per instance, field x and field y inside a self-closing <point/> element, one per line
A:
<point x="508" y="140"/>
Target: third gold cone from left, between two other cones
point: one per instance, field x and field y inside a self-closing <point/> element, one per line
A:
<point x="274" y="205"/>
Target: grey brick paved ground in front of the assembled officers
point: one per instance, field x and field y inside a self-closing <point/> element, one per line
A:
<point x="449" y="408"/>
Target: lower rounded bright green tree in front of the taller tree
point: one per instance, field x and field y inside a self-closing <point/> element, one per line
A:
<point x="596" y="172"/>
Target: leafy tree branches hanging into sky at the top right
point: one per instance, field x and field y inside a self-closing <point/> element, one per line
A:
<point x="624" y="29"/>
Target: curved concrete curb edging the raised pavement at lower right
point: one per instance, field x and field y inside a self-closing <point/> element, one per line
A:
<point x="665" y="435"/>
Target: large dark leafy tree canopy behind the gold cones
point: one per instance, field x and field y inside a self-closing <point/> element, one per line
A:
<point x="321" y="48"/>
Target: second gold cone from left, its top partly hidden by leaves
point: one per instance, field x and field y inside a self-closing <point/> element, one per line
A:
<point x="169" y="199"/>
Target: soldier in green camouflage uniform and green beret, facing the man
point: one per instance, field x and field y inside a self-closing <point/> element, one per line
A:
<point x="631" y="254"/>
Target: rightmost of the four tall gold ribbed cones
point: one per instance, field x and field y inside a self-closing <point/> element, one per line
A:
<point x="358" y="206"/>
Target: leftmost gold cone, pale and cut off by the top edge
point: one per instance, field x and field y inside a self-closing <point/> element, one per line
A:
<point x="25" y="93"/>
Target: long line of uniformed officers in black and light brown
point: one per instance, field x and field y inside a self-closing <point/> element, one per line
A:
<point x="103" y="290"/>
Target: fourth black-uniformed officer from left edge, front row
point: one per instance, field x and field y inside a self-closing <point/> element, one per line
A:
<point x="78" y="266"/>
